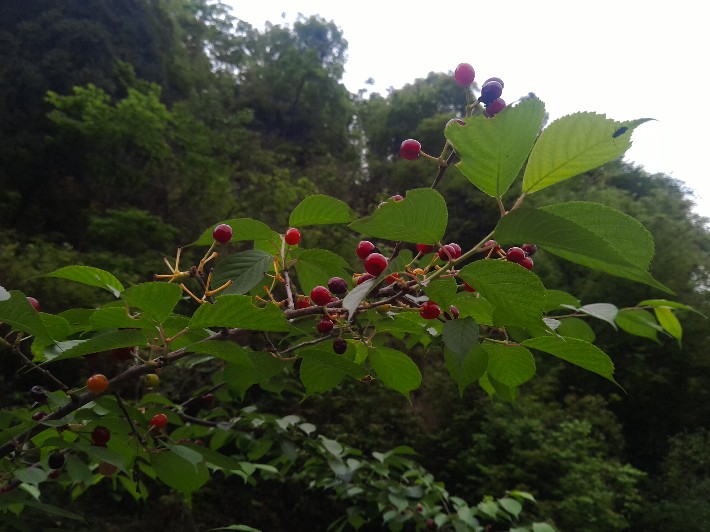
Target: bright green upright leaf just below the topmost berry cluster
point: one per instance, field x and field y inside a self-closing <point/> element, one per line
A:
<point x="493" y="151"/>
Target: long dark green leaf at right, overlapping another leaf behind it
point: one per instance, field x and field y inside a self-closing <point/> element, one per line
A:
<point x="574" y="242"/>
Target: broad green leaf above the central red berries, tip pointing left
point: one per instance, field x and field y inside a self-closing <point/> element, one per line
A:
<point x="421" y="217"/>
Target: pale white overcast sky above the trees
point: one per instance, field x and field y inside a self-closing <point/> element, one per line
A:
<point x="627" y="59"/>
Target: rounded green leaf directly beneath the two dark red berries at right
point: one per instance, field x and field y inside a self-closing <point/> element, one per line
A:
<point x="517" y="294"/>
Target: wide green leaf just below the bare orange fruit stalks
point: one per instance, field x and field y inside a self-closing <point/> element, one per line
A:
<point x="239" y="312"/>
